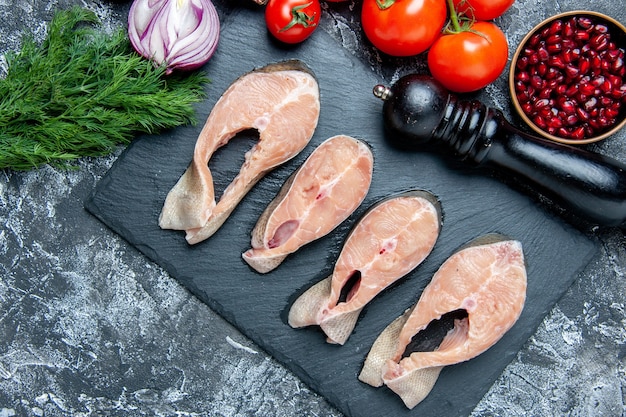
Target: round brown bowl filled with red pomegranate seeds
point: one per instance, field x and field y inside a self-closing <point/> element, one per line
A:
<point x="530" y="102"/>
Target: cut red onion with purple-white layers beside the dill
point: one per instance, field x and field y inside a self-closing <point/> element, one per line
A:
<point x="180" y="34"/>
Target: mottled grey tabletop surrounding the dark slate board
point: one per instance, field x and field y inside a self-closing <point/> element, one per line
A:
<point x="88" y="326"/>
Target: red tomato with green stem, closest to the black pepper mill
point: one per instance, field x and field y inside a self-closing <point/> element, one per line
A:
<point x="468" y="61"/>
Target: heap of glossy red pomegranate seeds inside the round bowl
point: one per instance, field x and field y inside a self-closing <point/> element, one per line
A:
<point x="569" y="78"/>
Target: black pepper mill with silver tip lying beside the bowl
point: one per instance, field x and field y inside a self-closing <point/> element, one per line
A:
<point x="419" y="111"/>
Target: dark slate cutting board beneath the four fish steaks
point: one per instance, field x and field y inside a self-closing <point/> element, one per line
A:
<point x="130" y="196"/>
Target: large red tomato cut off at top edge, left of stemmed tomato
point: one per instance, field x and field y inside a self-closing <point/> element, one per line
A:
<point x="403" y="27"/>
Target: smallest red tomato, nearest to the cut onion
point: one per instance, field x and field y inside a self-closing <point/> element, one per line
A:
<point x="292" y="21"/>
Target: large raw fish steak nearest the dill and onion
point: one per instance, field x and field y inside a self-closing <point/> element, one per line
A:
<point x="281" y="101"/>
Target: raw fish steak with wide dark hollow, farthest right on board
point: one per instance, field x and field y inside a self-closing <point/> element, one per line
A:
<point x="487" y="280"/>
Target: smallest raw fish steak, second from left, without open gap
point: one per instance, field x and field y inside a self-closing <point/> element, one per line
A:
<point x="321" y="194"/>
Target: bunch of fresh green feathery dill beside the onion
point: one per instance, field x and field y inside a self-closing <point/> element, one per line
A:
<point x="82" y="92"/>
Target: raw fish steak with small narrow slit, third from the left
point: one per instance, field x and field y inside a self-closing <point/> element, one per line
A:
<point x="391" y="239"/>
